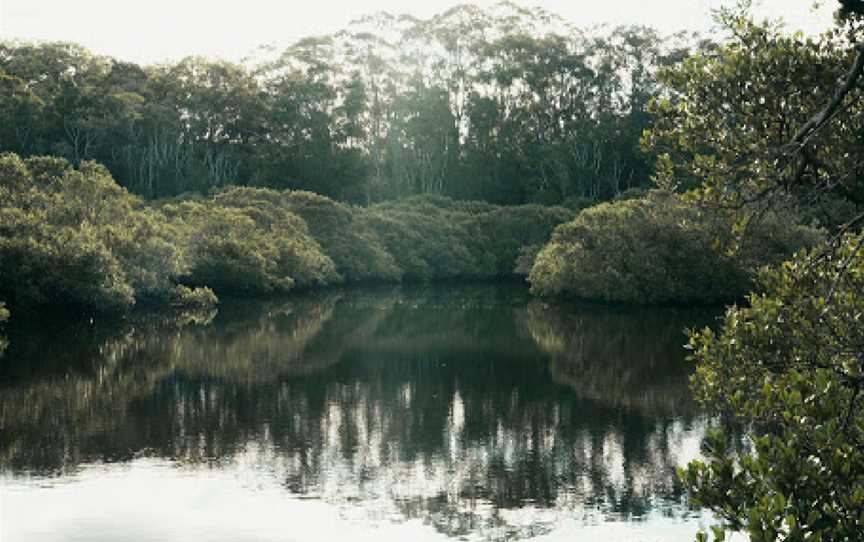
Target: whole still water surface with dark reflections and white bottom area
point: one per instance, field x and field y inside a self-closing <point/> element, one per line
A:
<point x="422" y="413"/>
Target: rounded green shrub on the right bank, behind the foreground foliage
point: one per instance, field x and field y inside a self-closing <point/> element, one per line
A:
<point x="658" y="249"/>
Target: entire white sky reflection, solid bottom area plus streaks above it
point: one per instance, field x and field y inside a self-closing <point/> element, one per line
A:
<point x="370" y="491"/>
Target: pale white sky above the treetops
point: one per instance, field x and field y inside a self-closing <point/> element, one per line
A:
<point x="161" y="30"/>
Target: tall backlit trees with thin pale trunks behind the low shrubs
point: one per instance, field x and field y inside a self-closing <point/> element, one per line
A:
<point x="506" y="105"/>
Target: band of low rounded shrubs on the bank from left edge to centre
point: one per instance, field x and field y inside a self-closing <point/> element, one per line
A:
<point x="73" y="237"/>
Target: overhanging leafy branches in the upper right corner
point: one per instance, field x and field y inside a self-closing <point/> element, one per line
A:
<point x="725" y="126"/>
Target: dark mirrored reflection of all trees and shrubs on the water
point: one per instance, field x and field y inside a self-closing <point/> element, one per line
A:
<point x="450" y="405"/>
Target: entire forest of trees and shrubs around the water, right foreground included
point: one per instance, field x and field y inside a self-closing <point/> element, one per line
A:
<point x="614" y="165"/>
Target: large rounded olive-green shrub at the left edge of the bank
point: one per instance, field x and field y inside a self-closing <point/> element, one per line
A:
<point x="74" y="238"/>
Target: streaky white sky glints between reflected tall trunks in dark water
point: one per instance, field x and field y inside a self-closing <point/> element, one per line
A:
<point x="377" y="467"/>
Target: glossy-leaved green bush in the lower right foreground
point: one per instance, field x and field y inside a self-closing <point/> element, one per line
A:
<point x="789" y="366"/>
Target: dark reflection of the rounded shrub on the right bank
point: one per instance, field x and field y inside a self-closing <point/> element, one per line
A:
<point x="627" y="358"/>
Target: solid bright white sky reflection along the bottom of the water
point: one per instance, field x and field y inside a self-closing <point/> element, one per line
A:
<point x="246" y="503"/>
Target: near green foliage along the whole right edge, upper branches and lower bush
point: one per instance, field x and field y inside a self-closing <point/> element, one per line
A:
<point x="767" y="118"/>
